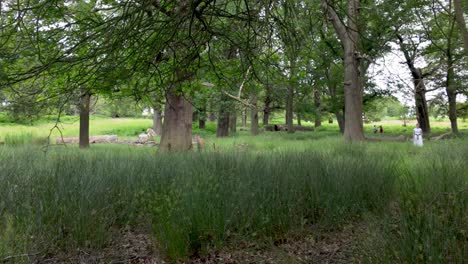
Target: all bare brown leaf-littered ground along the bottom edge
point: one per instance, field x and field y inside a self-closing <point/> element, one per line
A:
<point x="334" y="247"/>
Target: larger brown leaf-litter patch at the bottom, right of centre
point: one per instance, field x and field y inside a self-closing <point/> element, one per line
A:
<point x="324" y="247"/>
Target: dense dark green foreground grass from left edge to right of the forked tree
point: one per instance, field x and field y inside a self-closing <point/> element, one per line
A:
<point x="70" y="199"/>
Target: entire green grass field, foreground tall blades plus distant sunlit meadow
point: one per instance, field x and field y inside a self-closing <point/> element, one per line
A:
<point x="412" y="202"/>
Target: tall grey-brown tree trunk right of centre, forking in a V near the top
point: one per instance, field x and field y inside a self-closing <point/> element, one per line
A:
<point x="348" y="36"/>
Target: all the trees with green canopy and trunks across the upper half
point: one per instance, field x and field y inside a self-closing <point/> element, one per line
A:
<point x="204" y="56"/>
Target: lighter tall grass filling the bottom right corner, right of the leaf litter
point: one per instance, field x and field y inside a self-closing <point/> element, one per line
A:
<point x="429" y="219"/>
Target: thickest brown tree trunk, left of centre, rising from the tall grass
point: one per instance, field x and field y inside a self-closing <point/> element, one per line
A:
<point x="177" y="125"/>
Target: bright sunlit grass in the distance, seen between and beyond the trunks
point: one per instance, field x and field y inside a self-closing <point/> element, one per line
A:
<point x="128" y="128"/>
